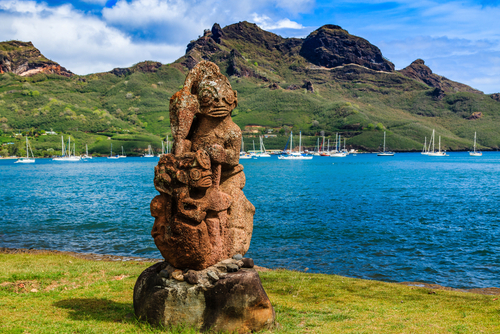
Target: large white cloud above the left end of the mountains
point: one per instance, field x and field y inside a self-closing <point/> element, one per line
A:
<point x="81" y="43"/>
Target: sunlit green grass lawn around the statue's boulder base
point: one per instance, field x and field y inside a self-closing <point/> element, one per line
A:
<point x="56" y="293"/>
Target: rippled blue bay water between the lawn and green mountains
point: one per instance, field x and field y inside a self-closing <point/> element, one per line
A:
<point x="403" y="218"/>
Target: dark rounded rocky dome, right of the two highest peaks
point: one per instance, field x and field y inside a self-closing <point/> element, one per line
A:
<point x="331" y="46"/>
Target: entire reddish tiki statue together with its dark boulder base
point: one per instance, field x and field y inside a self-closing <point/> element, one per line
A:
<point x="203" y="221"/>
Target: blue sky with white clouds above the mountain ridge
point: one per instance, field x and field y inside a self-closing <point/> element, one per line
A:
<point x="457" y="39"/>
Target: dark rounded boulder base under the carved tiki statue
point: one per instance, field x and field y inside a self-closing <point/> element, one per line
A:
<point x="220" y="301"/>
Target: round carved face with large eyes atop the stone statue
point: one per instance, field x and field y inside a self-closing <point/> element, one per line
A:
<point x="216" y="97"/>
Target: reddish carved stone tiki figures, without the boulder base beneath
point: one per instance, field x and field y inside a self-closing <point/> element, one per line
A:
<point x="201" y="214"/>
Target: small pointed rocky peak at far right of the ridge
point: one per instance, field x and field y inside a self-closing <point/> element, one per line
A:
<point x="421" y="72"/>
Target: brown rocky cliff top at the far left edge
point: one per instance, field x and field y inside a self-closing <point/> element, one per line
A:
<point x="23" y="59"/>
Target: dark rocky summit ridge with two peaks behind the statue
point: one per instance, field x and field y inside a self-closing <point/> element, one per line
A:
<point x="329" y="46"/>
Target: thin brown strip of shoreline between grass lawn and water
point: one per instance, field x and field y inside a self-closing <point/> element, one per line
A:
<point x="115" y="258"/>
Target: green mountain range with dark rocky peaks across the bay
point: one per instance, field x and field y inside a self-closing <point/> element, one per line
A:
<point x="326" y="83"/>
